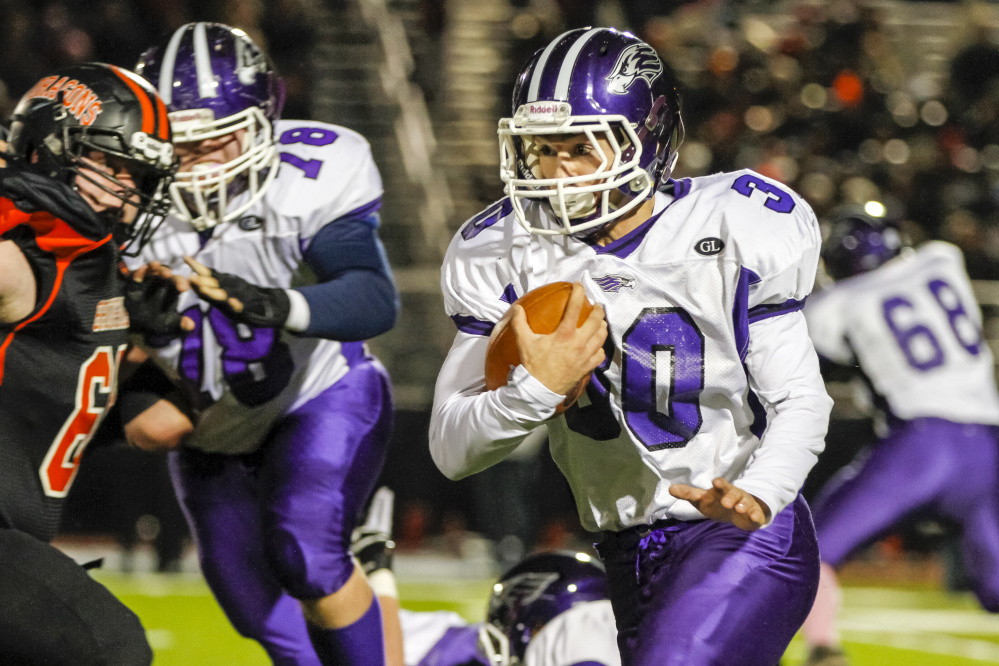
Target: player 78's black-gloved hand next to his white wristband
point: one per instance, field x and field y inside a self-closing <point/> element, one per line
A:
<point x="260" y="307"/>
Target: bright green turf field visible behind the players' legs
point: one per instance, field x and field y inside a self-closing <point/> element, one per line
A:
<point x="882" y="627"/>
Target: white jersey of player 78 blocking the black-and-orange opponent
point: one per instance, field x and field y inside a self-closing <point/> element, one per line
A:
<point x="248" y="378"/>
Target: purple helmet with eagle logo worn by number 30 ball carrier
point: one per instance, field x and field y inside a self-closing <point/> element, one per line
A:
<point x="606" y="85"/>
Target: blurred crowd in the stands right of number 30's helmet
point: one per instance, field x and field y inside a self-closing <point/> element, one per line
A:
<point x="824" y="104"/>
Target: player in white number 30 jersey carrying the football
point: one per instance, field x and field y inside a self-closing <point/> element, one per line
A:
<point x="705" y="409"/>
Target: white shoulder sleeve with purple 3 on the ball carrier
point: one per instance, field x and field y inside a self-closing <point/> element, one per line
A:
<point x="778" y="243"/>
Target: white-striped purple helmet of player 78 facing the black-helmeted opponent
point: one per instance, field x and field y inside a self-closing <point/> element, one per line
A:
<point x="215" y="81"/>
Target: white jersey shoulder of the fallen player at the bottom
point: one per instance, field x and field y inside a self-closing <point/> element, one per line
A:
<point x="584" y="634"/>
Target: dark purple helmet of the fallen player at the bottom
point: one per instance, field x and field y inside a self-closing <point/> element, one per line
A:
<point x="531" y="594"/>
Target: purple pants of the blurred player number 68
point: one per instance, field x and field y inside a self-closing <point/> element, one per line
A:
<point x="951" y="469"/>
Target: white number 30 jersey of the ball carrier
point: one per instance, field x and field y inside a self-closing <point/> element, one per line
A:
<point x="674" y="402"/>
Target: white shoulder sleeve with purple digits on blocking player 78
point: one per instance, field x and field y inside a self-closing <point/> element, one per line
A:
<point x="327" y="173"/>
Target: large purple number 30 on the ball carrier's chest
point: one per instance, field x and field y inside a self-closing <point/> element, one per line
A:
<point x="662" y="376"/>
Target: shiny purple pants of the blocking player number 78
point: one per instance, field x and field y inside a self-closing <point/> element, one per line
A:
<point x="274" y="526"/>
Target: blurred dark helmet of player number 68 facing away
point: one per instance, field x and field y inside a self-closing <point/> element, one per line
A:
<point x="857" y="243"/>
